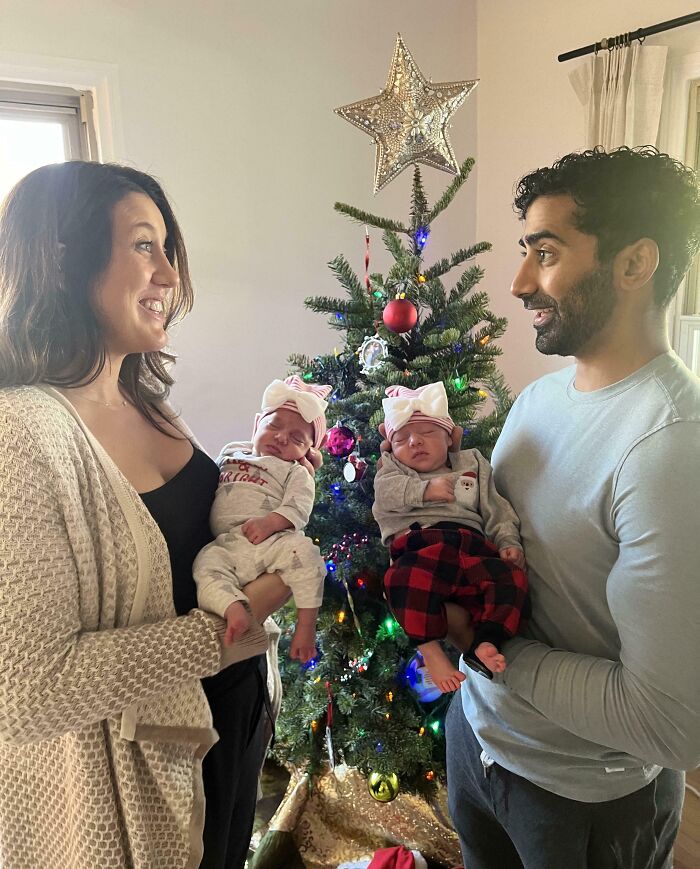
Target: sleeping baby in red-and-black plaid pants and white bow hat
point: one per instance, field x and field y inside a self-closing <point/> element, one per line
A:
<point x="439" y="511"/>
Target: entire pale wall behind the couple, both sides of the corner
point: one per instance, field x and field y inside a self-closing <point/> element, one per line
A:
<point x="230" y="104"/>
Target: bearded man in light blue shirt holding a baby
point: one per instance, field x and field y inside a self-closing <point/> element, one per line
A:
<point x="572" y="757"/>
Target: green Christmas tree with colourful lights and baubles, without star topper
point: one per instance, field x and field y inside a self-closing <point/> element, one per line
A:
<point x="362" y="701"/>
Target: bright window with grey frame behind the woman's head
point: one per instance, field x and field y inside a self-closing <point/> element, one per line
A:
<point x="42" y="124"/>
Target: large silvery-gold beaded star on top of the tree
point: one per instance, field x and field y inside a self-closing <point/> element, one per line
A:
<point x="408" y="120"/>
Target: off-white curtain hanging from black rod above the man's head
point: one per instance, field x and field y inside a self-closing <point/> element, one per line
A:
<point x="621" y="91"/>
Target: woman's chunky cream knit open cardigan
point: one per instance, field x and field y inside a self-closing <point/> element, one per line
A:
<point x="103" y="720"/>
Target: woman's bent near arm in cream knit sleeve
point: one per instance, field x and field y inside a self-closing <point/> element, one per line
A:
<point x="55" y="676"/>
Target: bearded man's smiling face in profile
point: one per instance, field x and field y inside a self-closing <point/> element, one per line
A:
<point x="561" y="279"/>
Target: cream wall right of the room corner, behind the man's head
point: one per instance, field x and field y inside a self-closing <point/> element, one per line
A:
<point x="528" y="115"/>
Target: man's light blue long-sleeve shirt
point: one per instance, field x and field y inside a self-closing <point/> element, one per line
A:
<point x="603" y="688"/>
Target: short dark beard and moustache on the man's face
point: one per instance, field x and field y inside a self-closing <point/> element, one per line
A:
<point x="579" y="317"/>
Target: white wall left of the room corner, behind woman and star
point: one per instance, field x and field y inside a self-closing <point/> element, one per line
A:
<point x="230" y="104"/>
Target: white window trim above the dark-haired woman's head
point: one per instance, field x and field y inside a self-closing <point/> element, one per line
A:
<point x="101" y="79"/>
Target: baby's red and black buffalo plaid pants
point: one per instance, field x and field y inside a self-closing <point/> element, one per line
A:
<point x="450" y="563"/>
